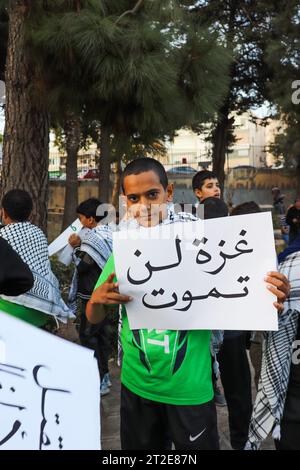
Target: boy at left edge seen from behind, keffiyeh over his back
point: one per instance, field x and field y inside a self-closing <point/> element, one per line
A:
<point x="43" y="302"/>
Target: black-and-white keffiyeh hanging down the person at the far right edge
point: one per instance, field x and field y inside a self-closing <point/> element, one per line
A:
<point x="276" y="363"/>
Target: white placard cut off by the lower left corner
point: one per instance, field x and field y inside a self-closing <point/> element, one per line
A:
<point x="49" y="394"/>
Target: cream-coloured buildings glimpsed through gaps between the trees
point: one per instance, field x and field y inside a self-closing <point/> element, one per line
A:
<point x="190" y="152"/>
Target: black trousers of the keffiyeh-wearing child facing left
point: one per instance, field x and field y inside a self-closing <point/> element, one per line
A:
<point x="96" y="337"/>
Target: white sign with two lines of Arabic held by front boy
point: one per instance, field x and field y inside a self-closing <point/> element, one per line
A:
<point x="199" y="275"/>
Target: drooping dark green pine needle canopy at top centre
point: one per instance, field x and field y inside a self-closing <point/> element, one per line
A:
<point x="127" y="71"/>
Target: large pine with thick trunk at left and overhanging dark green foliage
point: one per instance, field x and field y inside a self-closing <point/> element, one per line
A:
<point x="140" y="69"/>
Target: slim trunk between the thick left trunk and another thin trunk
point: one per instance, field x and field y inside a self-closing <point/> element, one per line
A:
<point x="72" y="129"/>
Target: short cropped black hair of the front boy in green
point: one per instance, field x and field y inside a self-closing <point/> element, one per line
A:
<point x="143" y="164"/>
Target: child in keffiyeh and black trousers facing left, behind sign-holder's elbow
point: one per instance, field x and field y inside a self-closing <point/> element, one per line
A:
<point x="90" y="255"/>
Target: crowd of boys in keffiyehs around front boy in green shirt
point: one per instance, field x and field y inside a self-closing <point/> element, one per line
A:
<point x="168" y="398"/>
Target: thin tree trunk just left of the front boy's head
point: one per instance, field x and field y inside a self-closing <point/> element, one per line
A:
<point x="104" y="165"/>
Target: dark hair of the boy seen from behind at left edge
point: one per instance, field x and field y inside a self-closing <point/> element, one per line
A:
<point x="17" y="204"/>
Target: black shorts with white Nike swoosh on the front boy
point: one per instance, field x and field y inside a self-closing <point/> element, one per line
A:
<point x="150" y="425"/>
